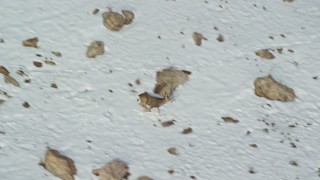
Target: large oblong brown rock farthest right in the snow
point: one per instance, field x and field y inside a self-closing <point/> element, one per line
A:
<point x="269" y="88"/>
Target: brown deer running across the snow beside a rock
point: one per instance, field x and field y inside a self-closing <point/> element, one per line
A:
<point x="152" y="101"/>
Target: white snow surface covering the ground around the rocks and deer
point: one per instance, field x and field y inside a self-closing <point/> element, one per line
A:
<point x="93" y="126"/>
